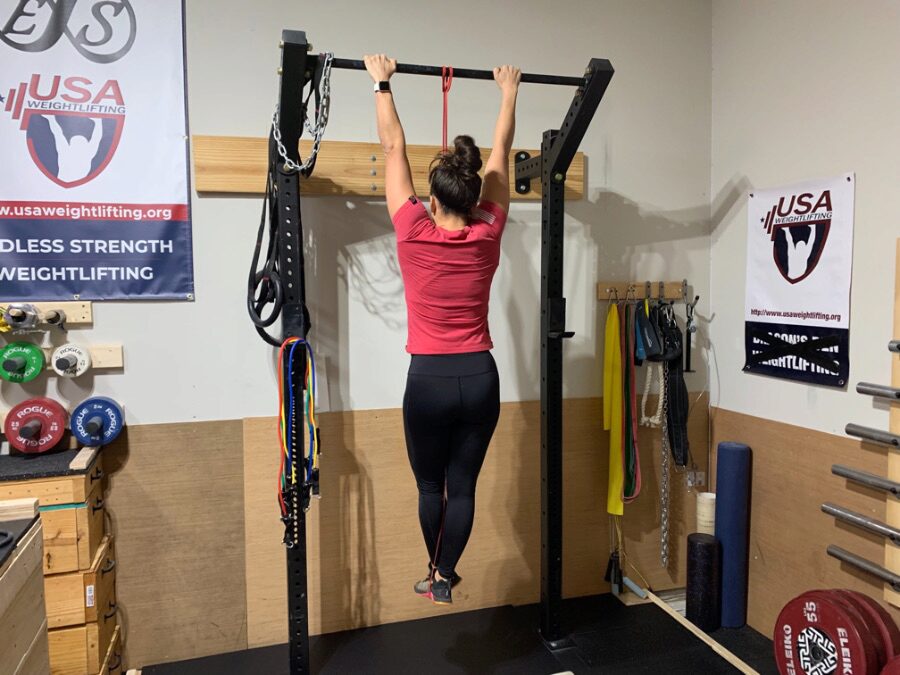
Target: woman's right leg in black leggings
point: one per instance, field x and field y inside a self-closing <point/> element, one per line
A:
<point x="480" y="397"/>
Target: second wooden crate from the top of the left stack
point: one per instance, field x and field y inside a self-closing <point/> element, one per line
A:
<point x="72" y="533"/>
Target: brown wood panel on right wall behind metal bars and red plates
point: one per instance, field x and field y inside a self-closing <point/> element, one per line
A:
<point x="788" y="532"/>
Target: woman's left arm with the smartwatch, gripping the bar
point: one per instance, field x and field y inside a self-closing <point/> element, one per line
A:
<point x="398" y="185"/>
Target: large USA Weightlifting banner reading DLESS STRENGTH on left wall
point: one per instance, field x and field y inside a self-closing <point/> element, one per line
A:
<point x="94" y="183"/>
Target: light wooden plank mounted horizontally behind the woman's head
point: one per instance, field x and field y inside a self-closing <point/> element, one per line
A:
<point x="237" y="164"/>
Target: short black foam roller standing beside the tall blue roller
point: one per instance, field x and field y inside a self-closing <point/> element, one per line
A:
<point x="704" y="579"/>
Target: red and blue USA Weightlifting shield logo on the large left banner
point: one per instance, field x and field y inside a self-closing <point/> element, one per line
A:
<point x="72" y="125"/>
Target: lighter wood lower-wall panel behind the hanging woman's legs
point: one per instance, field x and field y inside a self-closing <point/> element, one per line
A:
<point x="365" y="547"/>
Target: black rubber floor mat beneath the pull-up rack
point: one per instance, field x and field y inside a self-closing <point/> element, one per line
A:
<point x="606" y="637"/>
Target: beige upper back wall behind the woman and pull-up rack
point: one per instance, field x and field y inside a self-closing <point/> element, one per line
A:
<point x="646" y="215"/>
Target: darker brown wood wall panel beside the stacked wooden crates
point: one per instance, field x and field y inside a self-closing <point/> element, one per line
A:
<point x="175" y="499"/>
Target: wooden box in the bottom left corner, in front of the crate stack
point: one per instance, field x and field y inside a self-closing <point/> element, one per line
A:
<point x="22" y="619"/>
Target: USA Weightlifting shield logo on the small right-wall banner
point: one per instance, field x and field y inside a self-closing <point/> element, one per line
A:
<point x="798" y="226"/>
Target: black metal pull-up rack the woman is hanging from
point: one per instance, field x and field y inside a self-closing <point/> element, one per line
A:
<point x="298" y="68"/>
